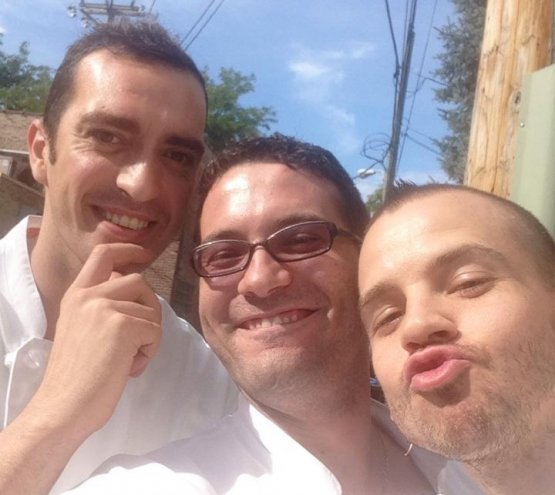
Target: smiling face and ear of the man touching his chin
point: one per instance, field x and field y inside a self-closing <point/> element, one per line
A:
<point x="126" y="152"/>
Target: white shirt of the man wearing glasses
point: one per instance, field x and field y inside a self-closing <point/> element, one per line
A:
<point x="248" y="454"/>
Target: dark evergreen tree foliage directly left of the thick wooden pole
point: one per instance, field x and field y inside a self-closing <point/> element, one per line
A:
<point x="462" y="39"/>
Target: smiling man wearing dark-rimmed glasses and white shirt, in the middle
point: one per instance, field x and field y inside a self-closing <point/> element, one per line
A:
<point x="279" y="233"/>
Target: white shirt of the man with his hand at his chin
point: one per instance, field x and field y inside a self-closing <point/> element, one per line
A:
<point x="184" y="389"/>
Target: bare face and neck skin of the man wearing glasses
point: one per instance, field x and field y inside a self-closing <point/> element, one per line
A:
<point x="290" y="333"/>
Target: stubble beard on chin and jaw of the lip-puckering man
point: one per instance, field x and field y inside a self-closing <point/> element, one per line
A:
<point x="489" y="424"/>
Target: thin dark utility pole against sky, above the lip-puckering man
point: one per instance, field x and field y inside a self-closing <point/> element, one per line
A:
<point x="401" y="96"/>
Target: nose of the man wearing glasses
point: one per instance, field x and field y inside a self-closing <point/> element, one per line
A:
<point x="264" y="275"/>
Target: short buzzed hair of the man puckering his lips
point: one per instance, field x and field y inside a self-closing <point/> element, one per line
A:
<point x="530" y="231"/>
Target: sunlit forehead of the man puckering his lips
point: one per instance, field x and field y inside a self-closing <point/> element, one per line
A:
<point x="427" y="227"/>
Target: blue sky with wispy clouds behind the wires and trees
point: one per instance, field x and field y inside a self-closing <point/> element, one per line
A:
<point x="325" y="66"/>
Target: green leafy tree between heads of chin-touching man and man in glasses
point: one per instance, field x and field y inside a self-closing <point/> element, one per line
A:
<point x="228" y="120"/>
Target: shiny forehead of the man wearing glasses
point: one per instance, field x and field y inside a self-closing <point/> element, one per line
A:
<point x="268" y="194"/>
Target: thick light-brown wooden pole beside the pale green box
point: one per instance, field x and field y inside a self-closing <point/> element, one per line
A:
<point x="517" y="40"/>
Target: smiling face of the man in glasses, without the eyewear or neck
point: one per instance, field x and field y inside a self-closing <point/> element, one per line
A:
<point x="276" y="325"/>
